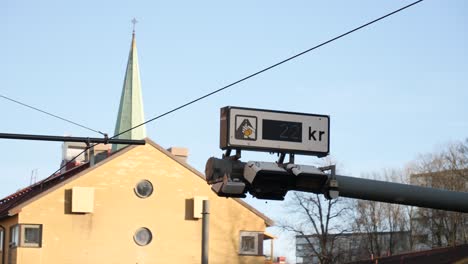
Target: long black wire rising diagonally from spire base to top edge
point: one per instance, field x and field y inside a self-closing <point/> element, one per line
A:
<point x="269" y="68"/>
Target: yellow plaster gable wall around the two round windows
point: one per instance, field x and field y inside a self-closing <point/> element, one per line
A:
<point x="106" y="236"/>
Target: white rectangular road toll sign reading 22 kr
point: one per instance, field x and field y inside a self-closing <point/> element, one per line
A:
<point x="274" y="131"/>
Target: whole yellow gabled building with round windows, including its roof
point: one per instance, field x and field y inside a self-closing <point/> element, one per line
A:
<point x="136" y="206"/>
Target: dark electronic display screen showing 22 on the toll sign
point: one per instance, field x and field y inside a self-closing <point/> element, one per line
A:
<point x="282" y="130"/>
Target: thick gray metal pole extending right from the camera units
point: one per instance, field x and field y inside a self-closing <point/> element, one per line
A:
<point x="390" y="192"/>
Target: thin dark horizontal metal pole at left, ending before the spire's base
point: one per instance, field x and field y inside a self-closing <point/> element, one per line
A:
<point x="72" y="139"/>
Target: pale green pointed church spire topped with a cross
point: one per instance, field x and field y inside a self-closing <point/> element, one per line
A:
<point x="131" y="101"/>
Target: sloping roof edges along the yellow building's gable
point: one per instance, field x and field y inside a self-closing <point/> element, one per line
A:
<point x="19" y="198"/>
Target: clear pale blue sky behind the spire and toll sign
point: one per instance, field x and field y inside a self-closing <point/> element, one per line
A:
<point x="393" y="90"/>
